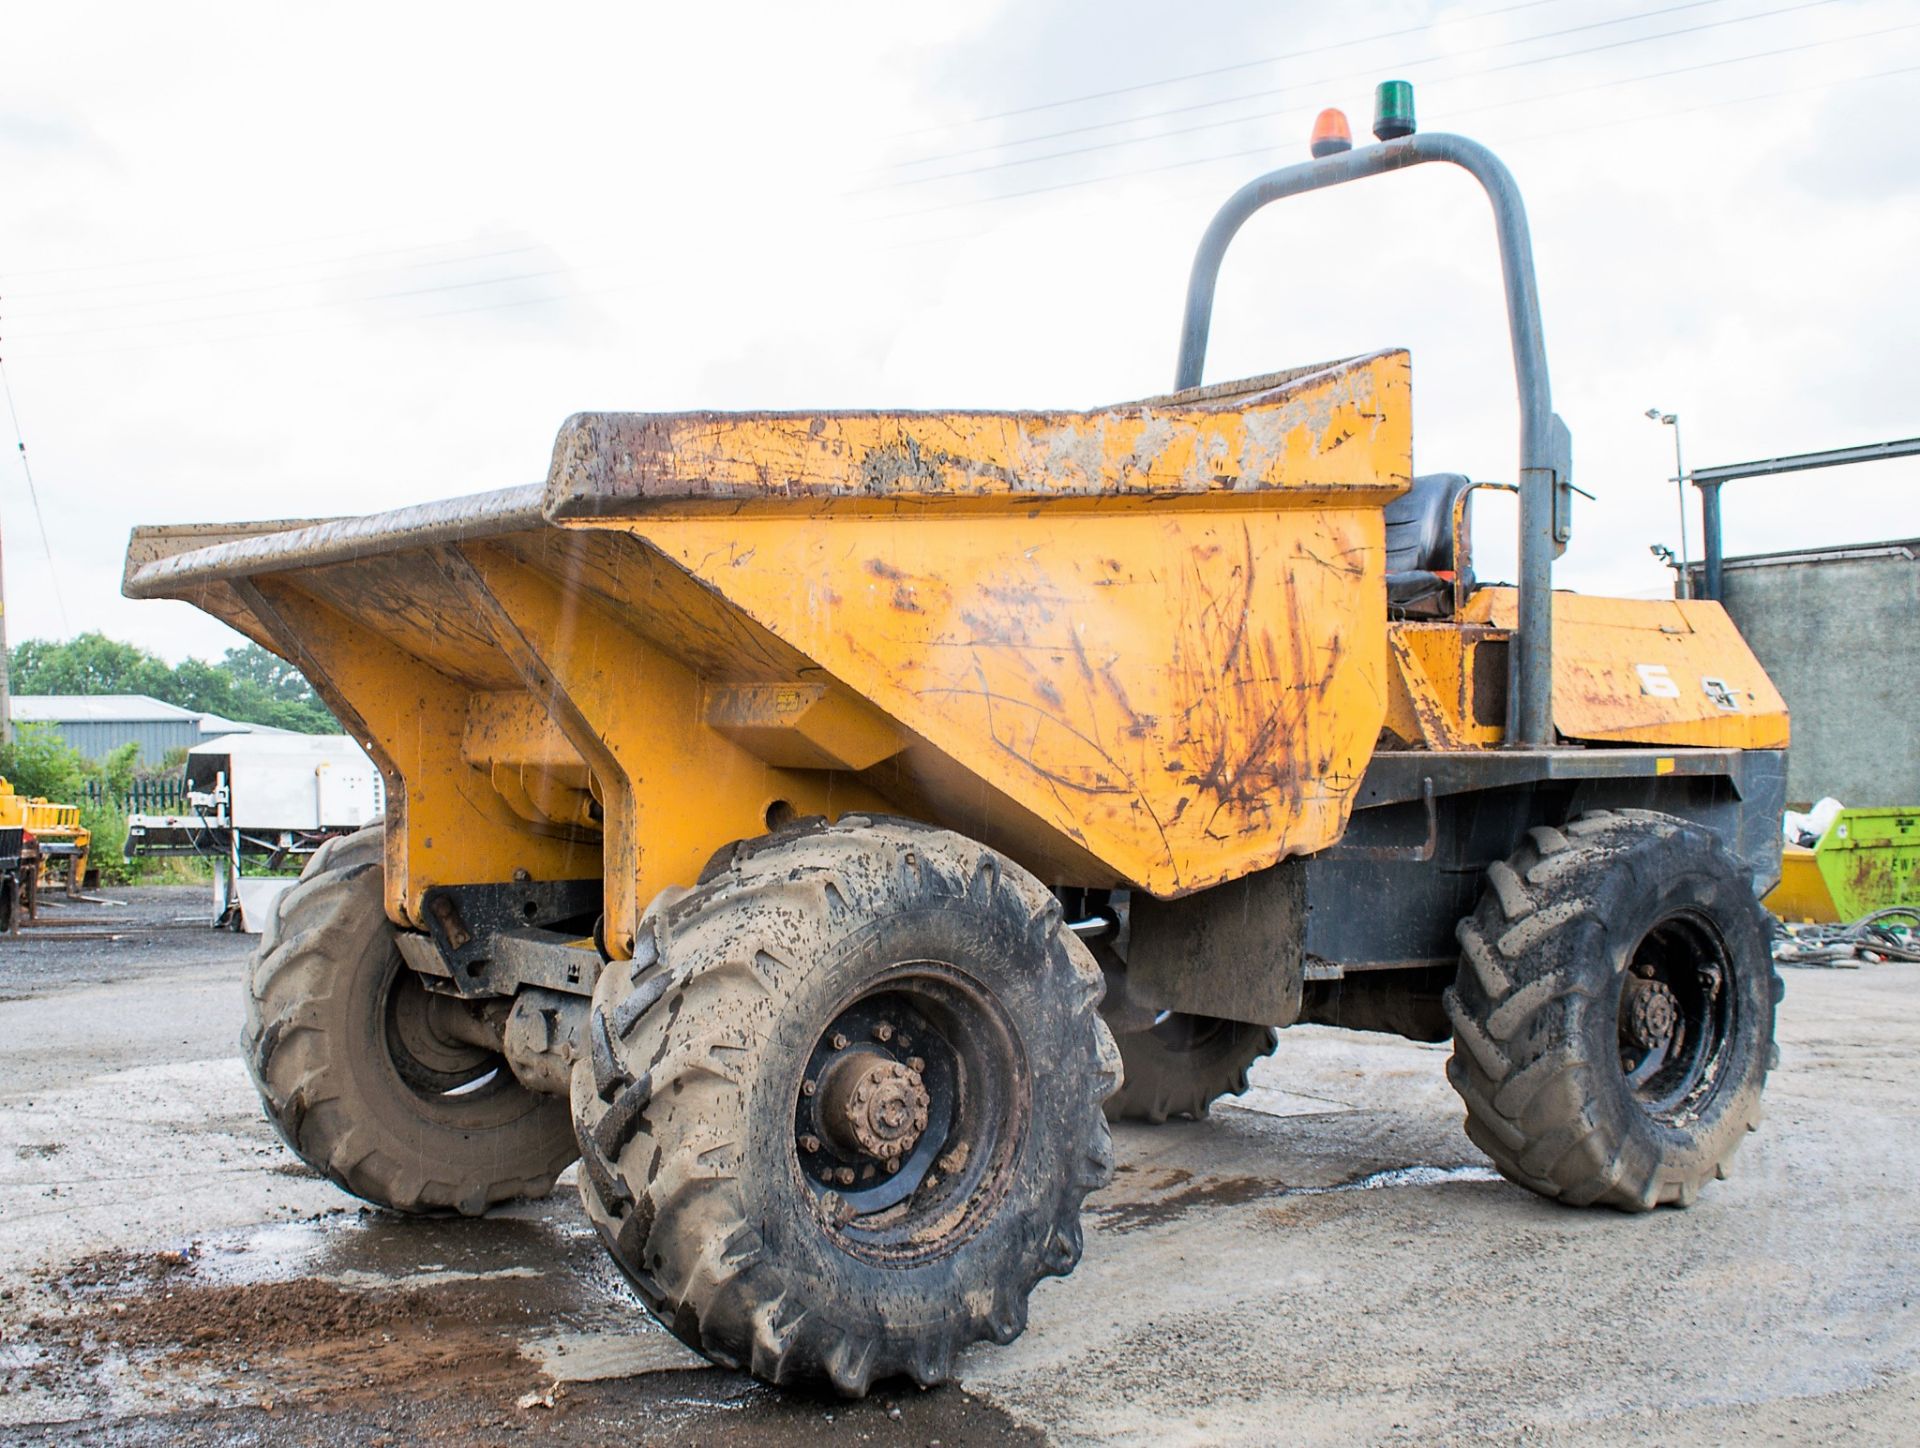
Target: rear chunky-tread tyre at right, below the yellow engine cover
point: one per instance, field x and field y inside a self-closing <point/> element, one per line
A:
<point x="1614" y="1017"/>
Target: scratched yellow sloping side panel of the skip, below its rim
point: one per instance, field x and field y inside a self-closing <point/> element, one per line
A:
<point x="1186" y="696"/>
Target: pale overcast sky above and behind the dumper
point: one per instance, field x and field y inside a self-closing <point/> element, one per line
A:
<point x="289" y="262"/>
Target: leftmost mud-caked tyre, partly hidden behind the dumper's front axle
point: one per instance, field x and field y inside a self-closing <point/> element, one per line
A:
<point x="339" y="1040"/>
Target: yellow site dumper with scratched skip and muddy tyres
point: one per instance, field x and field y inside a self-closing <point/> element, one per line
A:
<point x="823" y="823"/>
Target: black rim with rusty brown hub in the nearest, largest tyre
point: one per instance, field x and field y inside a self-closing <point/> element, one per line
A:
<point x="919" y="1163"/>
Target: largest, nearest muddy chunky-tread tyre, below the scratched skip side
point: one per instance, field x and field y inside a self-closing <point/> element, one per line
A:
<point x="759" y="1220"/>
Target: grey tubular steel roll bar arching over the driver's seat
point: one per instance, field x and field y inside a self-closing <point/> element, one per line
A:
<point x="1547" y="450"/>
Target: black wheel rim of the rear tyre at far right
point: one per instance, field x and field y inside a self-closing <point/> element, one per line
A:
<point x="1675" y="1017"/>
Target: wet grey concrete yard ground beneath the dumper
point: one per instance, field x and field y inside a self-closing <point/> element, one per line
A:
<point x="1328" y="1263"/>
